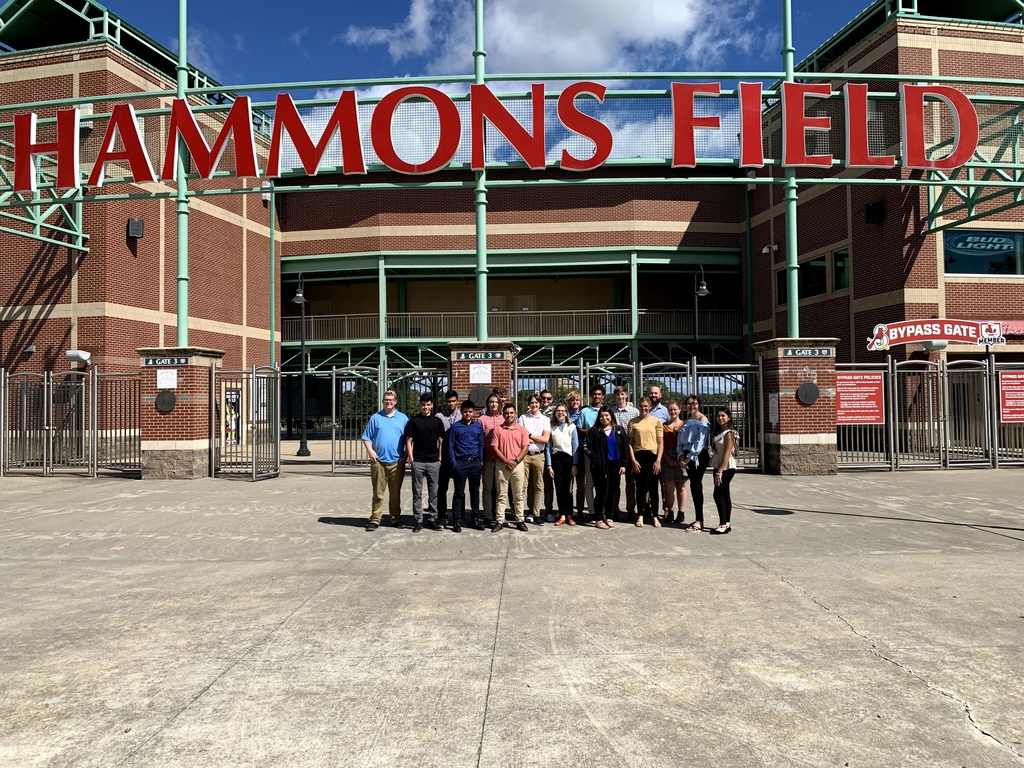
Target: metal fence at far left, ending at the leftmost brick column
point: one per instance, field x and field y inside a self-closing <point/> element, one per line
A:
<point x="71" y="422"/>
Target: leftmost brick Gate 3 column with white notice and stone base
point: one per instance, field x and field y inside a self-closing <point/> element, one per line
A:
<point x="177" y="442"/>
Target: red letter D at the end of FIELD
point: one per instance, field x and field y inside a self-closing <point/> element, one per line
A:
<point x="966" y="129"/>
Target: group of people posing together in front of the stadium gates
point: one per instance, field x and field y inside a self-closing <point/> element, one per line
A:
<point x="532" y="461"/>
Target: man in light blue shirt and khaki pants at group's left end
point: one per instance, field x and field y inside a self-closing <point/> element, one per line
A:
<point x="385" y="441"/>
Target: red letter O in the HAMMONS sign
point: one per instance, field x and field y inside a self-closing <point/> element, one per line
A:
<point x="448" y="143"/>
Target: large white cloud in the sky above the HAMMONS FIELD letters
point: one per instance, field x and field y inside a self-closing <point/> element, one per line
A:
<point x="572" y="35"/>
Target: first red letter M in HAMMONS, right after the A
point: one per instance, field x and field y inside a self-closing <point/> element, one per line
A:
<point x="239" y="123"/>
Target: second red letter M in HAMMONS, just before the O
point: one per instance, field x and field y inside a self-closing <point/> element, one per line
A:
<point x="345" y="119"/>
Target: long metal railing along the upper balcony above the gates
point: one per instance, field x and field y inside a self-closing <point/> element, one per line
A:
<point x="586" y="323"/>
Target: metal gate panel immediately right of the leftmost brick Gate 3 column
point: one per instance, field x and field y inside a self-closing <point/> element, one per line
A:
<point x="245" y="423"/>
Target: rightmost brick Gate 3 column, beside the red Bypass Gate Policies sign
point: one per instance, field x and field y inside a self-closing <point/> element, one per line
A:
<point x="798" y="401"/>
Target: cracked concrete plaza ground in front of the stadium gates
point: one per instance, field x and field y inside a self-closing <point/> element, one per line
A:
<point x="865" y="620"/>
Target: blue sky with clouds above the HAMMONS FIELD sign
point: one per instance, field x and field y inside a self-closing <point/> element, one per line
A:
<point x="261" y="41"/>
